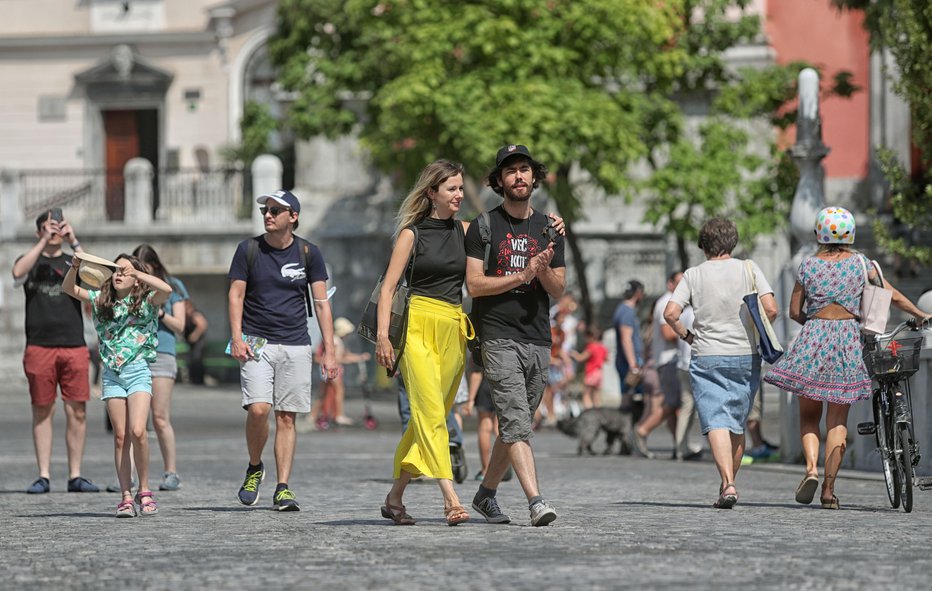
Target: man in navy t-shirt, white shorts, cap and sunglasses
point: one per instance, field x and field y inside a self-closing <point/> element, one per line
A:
<point x="269" y="278"/>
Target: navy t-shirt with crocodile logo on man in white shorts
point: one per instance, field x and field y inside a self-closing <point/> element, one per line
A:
<point x="275" y="306"/>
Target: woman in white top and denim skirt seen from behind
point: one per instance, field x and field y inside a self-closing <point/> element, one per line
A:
<point x="725" y="366"/>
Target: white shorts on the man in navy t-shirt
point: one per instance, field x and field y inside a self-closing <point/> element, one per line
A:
<point x="281" y="376"/>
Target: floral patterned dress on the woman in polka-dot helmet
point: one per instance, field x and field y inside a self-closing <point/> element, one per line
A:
<point x="825" y="361"/>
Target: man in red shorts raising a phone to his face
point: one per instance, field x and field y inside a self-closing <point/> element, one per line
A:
<point x="56" y="354"/>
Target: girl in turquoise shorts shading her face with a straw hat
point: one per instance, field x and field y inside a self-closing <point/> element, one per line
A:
<point x="125" y="312"/>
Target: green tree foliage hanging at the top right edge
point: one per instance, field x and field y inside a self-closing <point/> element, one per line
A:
<point x="904" y="27"/>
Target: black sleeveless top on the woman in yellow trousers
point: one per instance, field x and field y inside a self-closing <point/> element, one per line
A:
<point x="440" y="266"/>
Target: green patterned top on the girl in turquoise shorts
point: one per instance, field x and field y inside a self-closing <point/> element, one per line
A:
<point x="128" y="336"/>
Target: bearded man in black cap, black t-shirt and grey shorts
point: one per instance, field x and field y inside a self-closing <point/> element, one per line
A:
<point x="511" y="315"/>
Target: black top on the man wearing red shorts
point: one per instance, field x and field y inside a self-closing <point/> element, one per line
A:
<point x="53" y="318"/>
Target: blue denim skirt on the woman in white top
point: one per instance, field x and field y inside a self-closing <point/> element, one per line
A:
<point x="724" y="387"/>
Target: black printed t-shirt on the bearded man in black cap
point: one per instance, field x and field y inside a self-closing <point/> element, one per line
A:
<point x="523" y="313"/>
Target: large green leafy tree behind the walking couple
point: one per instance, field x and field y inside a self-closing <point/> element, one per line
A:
<point x="590" y="85"/>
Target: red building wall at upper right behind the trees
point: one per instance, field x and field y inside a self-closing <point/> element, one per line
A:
<point x="813" y="31"/>
